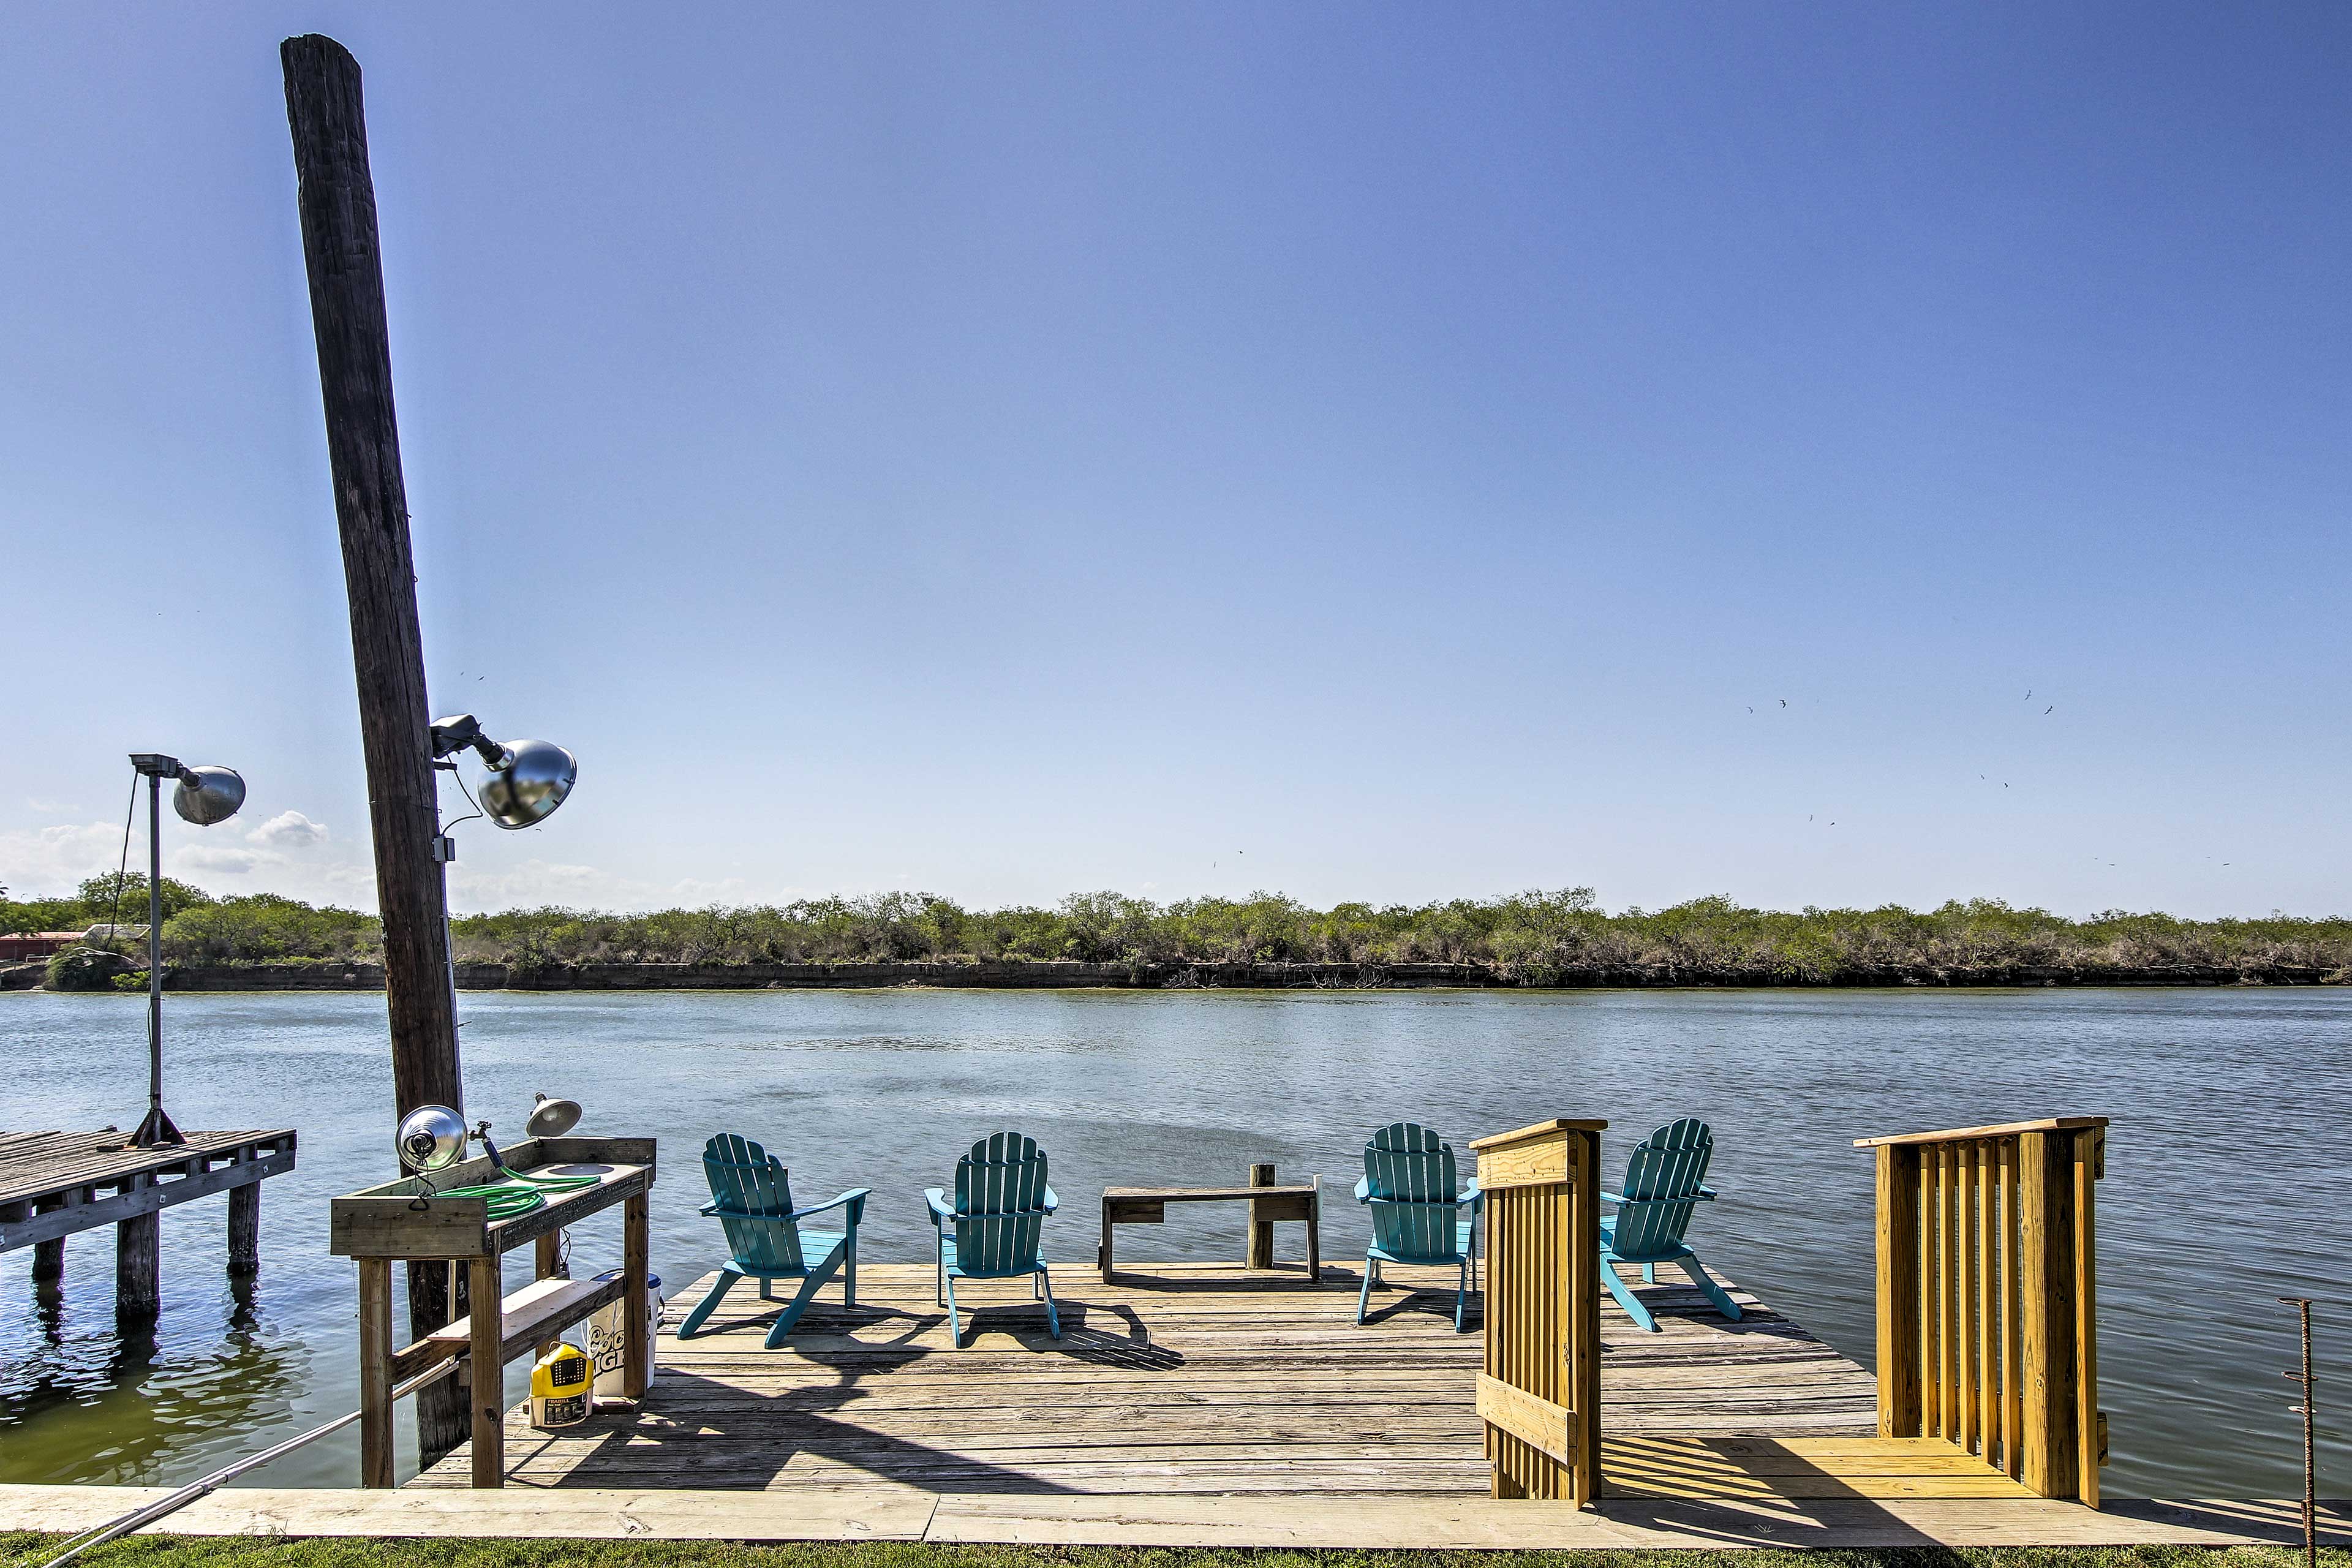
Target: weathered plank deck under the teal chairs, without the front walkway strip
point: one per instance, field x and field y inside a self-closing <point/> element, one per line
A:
<point x="1217" y="1381"/>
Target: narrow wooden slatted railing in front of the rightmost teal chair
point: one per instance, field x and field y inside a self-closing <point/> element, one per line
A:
<point x="1542" y="1391"/>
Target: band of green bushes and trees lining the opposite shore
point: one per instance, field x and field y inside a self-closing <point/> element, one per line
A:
<point x="1532" y="937"/>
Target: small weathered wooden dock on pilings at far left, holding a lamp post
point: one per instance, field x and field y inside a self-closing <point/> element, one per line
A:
<point x="62" y="1184"/>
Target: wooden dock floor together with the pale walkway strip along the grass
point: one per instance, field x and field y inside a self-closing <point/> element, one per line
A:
<point x="1203" y="1407"/>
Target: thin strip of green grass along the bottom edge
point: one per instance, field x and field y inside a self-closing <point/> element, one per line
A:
<point x="25" y="1550"/>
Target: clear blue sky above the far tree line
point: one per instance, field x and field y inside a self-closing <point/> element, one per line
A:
<point x="1370" y="453"/>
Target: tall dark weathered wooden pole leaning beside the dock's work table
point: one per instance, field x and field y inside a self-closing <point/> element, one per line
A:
<point x="373" y="514"/>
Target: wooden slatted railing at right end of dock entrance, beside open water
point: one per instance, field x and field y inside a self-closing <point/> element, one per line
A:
<point x="1989" y="1296"/>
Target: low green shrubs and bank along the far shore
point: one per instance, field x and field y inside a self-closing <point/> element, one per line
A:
<point x="1542" y="939"/>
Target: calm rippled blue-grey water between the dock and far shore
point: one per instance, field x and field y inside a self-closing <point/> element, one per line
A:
<point x="2226" y="1172"/>
